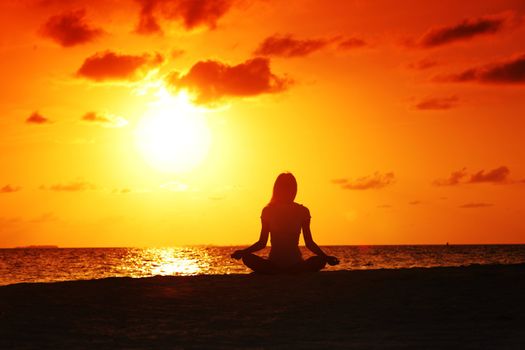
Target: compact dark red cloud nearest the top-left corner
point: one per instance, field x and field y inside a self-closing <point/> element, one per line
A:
<point x="70" y="29"/>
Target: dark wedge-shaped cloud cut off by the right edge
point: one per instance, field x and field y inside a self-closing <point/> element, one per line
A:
<point x="511" y="71"/>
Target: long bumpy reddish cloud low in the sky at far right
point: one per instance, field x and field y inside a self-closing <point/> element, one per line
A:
<point x="498" y="175"/>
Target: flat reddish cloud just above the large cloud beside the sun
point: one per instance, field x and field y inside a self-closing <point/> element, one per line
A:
<point x="288" y="46"/>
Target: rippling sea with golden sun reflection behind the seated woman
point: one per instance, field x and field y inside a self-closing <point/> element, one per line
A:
<point x="61" y="264"/>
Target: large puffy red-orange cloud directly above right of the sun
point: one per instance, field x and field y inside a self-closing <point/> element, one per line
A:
<point x="211" y="80"/>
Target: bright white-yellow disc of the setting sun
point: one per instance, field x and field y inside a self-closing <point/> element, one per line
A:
<point x="173" y="135"/>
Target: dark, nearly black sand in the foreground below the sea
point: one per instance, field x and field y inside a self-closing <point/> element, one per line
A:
<point x="478" y="307"/>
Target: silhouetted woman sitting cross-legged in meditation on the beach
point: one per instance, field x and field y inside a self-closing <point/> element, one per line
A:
<point x="282" y="219"/>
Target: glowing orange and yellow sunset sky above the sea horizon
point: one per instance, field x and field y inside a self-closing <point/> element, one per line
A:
<point x="165" y="122"/>
